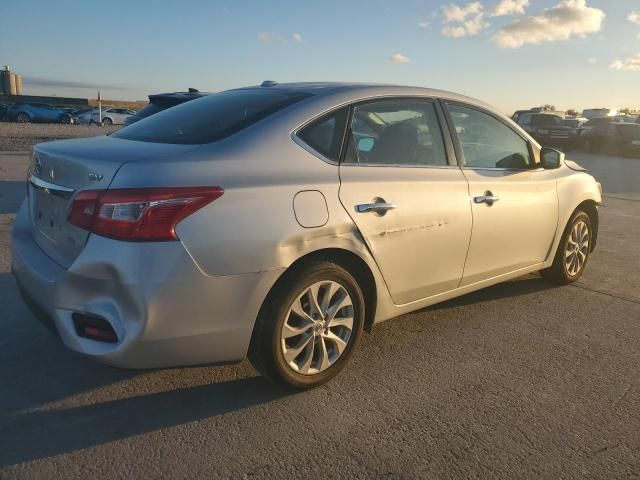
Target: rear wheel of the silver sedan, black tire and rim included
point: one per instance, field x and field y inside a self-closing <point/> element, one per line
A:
<point x="309" y="326"/>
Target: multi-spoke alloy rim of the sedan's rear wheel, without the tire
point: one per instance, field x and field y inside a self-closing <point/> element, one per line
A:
<point x="317" y="327"/>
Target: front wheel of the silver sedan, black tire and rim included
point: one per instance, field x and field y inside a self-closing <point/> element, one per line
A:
<point x="573" y="251"/>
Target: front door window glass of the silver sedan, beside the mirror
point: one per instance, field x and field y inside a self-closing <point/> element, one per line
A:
<point x="487" y="142"/>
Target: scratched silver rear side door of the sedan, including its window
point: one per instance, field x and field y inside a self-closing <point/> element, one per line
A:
<point x="409" y="201"/>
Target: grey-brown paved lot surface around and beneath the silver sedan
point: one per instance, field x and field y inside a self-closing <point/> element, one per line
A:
<point x="521" y="380"/>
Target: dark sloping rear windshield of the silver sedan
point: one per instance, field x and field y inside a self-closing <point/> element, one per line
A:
<point x="210" y="118"/>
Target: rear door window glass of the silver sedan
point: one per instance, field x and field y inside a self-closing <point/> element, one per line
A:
<point x="403" y="132"/>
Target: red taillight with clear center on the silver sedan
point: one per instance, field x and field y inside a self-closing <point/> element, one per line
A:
<point x="138" y="214"/>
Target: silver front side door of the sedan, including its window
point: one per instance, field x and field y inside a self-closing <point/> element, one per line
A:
<point x="514" y="203"/>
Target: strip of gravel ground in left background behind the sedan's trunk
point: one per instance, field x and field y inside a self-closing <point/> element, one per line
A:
<point x="21" y="136"/>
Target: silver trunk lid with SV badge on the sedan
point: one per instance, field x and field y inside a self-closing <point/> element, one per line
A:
<point x="60" y="169"/>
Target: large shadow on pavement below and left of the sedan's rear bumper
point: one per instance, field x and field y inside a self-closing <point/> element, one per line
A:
<point x="35" y="421"/>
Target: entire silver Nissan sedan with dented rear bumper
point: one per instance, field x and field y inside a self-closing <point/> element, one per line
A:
<point x="279" y="222"/>
